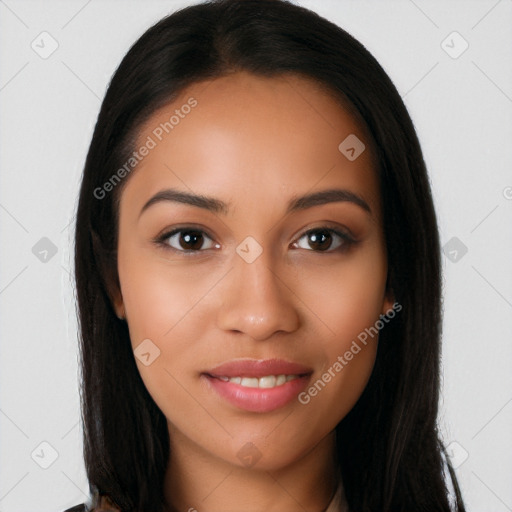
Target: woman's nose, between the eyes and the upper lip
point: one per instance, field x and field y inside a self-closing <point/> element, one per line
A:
<point x="257" y="301"/>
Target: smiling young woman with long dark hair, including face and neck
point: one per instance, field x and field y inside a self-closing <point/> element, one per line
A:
<point x="258" y="276"/>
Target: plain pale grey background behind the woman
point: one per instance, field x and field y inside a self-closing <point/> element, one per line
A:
<point x="461" y="104"/>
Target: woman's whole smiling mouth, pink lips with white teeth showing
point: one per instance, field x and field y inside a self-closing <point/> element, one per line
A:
<point x="256" y="385"/>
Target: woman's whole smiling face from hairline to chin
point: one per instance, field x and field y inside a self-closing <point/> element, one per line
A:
<point x="247" y="235"/>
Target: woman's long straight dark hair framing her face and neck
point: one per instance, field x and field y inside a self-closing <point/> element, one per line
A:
<point x="388" y="446"/>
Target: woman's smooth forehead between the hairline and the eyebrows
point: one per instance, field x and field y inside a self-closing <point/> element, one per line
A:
<point x="249" y="140"/>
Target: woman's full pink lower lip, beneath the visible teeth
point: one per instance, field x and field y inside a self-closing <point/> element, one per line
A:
<point x="258" y="399"/>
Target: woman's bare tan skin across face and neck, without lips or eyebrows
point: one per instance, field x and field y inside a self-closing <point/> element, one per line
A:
<point x="254" y="143"/>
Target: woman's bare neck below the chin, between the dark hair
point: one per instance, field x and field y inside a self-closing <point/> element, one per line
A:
<point x="196" y="481"/>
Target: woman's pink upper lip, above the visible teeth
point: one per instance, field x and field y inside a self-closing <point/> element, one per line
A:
<point x="258" y="368"/>
